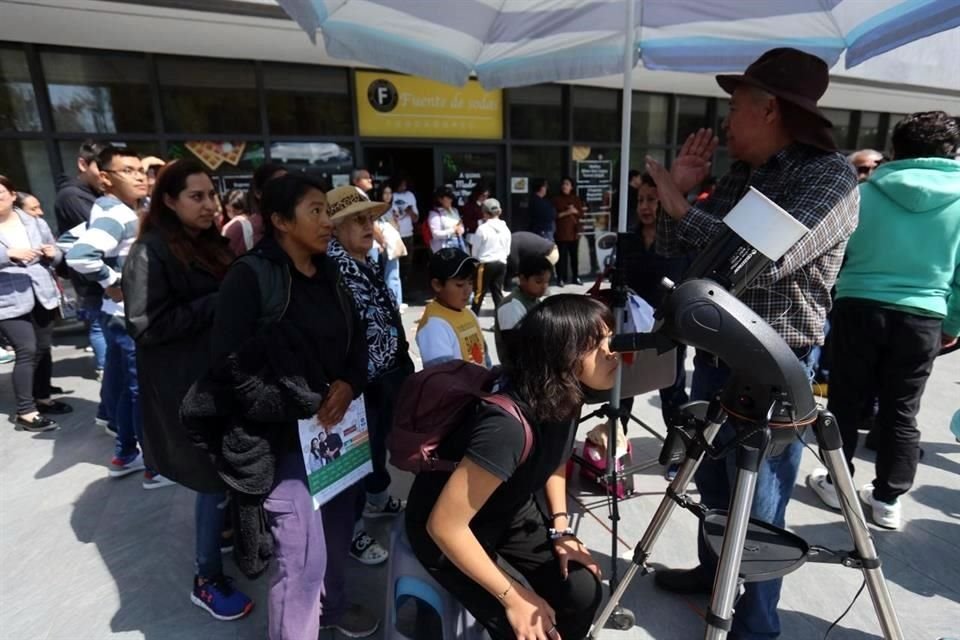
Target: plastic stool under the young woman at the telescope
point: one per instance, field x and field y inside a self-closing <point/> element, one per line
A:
<point x="408" y="579"/>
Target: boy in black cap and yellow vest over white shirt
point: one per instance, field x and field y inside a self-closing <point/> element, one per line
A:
<point x="448" y="330"/>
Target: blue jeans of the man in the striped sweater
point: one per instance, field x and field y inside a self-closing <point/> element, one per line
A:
<point x="120" y="391"/>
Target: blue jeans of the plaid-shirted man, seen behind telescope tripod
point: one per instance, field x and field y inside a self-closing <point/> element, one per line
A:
<point x="756" y="614"/>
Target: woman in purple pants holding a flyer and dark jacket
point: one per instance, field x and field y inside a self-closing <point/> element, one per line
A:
<point x="288" y="287"/>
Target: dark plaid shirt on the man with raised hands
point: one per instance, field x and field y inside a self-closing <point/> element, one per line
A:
<point x="817" y="188"/>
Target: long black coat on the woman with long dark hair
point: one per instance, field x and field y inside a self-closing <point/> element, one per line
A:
<point x="169" y="308"/>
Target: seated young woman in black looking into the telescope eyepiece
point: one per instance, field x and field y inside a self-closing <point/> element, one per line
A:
<point x="493" y="506"/>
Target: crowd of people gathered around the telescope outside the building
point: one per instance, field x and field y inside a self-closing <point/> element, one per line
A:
<point x="285" y="302"/>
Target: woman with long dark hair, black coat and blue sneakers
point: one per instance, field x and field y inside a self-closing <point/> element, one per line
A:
<point x="170" y="282"/>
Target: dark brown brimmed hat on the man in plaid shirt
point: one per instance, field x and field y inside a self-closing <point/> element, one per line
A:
<point x="798" y="80"/>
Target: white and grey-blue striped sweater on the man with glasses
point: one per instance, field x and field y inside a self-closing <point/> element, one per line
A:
<point x="99" y="252"/>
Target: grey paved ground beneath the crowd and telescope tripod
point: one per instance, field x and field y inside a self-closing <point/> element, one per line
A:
<point x="85" y="557"/>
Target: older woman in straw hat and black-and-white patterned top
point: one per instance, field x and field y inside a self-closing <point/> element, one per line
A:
<point x="389" y="362"/>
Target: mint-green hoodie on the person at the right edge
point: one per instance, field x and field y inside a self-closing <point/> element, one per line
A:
<point x="906" y="249"/>
